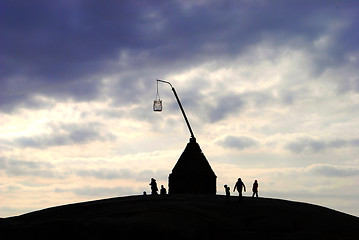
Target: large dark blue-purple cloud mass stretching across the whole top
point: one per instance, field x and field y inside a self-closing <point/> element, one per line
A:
<point x="63" y="49"/>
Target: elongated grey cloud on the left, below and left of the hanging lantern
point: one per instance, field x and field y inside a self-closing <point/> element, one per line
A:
<point x="66" y="134"/>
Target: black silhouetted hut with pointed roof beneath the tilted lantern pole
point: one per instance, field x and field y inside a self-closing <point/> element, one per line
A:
<point x="192" y="172"/>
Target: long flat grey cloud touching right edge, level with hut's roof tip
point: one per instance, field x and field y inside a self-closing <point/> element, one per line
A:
<point x="307" y="144"/>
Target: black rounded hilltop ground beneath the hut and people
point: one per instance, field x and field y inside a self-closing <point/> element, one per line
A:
<point x="185" y="217"/>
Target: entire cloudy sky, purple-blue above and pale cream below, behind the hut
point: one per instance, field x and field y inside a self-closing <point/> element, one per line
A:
<point x="271" y="89"/>
